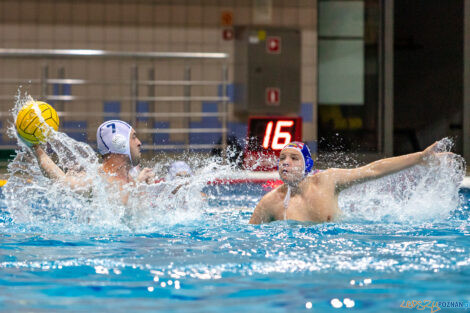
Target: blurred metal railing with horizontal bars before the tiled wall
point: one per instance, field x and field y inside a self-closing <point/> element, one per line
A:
<point x="44" y="82"/>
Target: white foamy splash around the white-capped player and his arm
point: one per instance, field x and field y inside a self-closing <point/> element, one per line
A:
<point x="35" y="201"/>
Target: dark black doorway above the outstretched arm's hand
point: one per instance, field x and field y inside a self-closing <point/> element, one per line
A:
<point x="428" y="73"/>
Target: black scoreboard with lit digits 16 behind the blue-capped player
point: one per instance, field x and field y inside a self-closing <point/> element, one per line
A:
<point x="266" y="137"/>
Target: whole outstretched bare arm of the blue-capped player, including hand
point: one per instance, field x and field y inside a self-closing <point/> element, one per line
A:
<point x="343" y="178"/>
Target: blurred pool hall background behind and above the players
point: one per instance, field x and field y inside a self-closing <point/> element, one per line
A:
<point x="374" y="77"/>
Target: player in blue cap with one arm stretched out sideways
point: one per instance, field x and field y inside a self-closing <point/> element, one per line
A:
<point x="307" y="196"/>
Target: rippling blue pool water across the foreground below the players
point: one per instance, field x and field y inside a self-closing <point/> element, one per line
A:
<point x="216" y="262"/>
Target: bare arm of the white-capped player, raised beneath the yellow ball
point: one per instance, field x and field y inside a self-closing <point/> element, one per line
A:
<point x="51" y="170"/>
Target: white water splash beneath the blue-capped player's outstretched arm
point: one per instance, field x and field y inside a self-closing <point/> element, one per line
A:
<point x="420" y="193"/>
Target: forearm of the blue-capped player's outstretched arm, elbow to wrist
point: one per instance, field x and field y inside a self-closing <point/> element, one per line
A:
<point x="395" y="164"/>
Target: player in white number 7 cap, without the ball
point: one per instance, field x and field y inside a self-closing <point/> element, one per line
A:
<point x="120" y="148"/>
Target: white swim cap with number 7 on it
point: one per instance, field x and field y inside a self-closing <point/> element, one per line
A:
<point x="113" y="137"/>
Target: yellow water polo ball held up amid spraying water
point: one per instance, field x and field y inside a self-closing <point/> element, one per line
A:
<point x="32" y="128"/>
